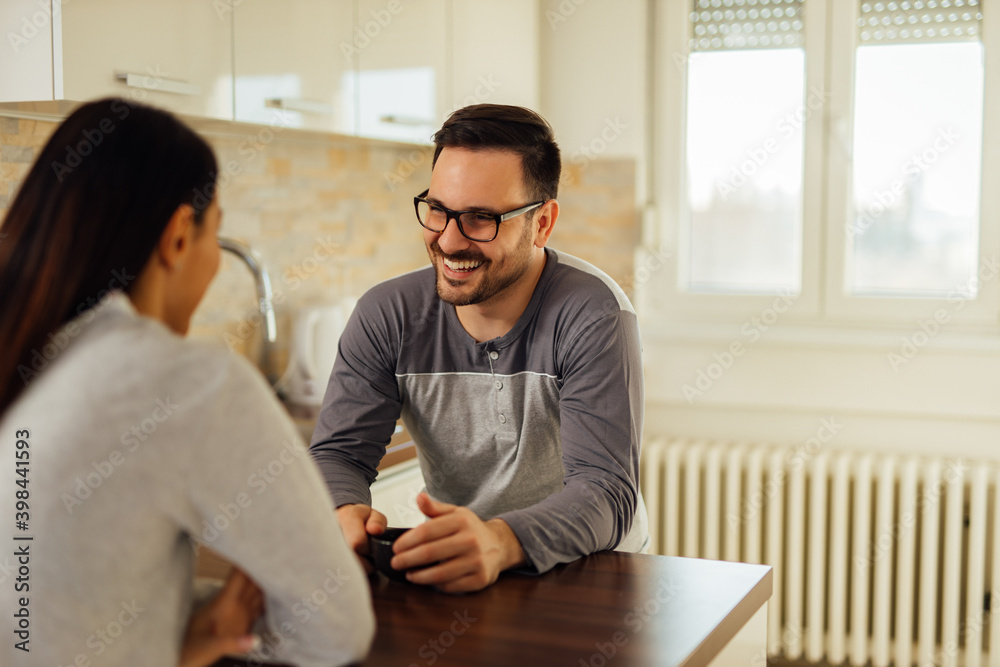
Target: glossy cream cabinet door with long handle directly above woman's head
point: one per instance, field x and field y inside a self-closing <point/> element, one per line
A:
<point x="177" y="54"/>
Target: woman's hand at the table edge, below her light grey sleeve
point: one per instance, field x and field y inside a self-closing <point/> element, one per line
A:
<point x="222" y="626"/>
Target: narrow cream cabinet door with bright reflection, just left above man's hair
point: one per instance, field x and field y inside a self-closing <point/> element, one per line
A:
<point x="402" y="82"/>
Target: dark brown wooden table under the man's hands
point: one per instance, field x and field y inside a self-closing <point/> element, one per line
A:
<point x="608" y="608"/>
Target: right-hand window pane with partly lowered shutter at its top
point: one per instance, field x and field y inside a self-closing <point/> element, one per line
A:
<point x="918" y="116"/>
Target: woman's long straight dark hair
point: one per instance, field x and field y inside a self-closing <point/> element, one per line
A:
<point x="87" y="219"/>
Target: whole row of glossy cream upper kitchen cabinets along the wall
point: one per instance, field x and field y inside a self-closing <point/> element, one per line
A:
<point x="387" y="69"/>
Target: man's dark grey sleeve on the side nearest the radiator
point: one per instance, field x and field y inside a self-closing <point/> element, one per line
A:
<point x="600" y="413"/>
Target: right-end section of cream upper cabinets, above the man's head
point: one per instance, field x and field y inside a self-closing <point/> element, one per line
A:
<point x="422" y="59"/>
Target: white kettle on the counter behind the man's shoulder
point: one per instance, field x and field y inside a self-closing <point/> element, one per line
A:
<point x="315" y="334"/>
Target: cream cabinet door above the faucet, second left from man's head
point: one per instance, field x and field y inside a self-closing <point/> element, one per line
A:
<point x="294" y="64"/>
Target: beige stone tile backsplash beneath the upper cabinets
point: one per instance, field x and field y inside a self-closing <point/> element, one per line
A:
<point x="331" y="216"/>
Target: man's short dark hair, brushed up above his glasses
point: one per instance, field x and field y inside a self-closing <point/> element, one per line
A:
<point x="503" y="127"/>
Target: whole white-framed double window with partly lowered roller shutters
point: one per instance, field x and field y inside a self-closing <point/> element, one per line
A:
<point x="831" y="151"/>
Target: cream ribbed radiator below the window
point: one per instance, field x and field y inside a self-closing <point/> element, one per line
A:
<point x="877" y="559"/>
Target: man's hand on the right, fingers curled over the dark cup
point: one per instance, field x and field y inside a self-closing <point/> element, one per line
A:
<point x="464" y="552"/>
